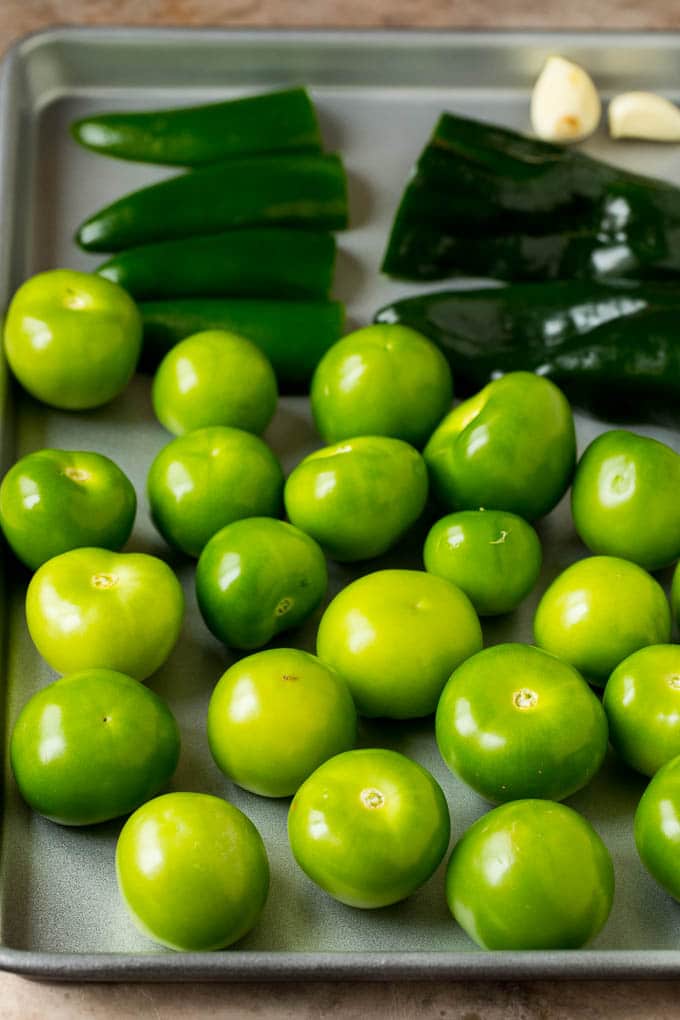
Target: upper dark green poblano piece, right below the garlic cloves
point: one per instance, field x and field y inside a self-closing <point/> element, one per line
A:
<point x="488" y="201"/>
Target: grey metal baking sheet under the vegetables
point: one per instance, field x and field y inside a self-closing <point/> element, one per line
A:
<point x="379" y="95"/>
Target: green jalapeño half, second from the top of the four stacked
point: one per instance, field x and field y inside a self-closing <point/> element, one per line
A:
<point x="303" y="191"/>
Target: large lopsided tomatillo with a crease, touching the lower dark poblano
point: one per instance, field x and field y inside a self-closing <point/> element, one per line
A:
<point x="511" y="447"/>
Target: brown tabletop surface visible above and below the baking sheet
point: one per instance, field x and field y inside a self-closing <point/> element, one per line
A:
<point x="397" y="1001"/>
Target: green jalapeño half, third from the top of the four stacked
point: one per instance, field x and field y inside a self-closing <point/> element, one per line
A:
<point x="258" y="264"/>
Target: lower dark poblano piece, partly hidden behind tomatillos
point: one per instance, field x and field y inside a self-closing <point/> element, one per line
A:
<point x="613" y="348"/>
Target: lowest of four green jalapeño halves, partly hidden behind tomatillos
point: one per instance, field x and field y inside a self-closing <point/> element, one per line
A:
<point x="294" y="335"/>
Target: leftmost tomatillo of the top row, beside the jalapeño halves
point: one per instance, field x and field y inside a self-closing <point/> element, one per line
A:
<point x="73" y="339"/>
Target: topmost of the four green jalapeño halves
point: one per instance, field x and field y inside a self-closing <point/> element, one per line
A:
<point x="195" y="135"/>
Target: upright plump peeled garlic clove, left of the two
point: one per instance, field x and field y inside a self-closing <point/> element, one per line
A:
<point x="565" y="105"/>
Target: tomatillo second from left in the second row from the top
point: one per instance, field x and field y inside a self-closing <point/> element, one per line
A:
<point x="202" y="482"/>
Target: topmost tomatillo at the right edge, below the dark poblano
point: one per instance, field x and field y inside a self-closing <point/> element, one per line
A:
<point x="625" y="499"/>
